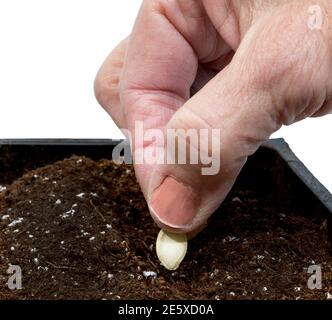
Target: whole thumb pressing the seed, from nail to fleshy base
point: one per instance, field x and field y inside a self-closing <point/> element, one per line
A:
<point x="273" y="79"/>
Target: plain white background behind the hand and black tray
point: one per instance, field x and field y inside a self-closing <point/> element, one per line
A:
<point x="50" y="52"/>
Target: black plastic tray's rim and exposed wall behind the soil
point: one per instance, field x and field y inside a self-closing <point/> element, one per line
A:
<point x="24" y="153"/>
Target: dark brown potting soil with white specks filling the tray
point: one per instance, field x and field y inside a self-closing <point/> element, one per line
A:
<point x="80" y="229"/>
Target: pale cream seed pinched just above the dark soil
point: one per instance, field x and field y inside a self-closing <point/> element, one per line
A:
<point x="171" y="249"/>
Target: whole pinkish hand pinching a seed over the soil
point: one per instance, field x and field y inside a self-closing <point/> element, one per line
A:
<point x="255" y="65"/>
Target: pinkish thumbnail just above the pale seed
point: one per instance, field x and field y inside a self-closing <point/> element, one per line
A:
<point x="174" y="204"/>
